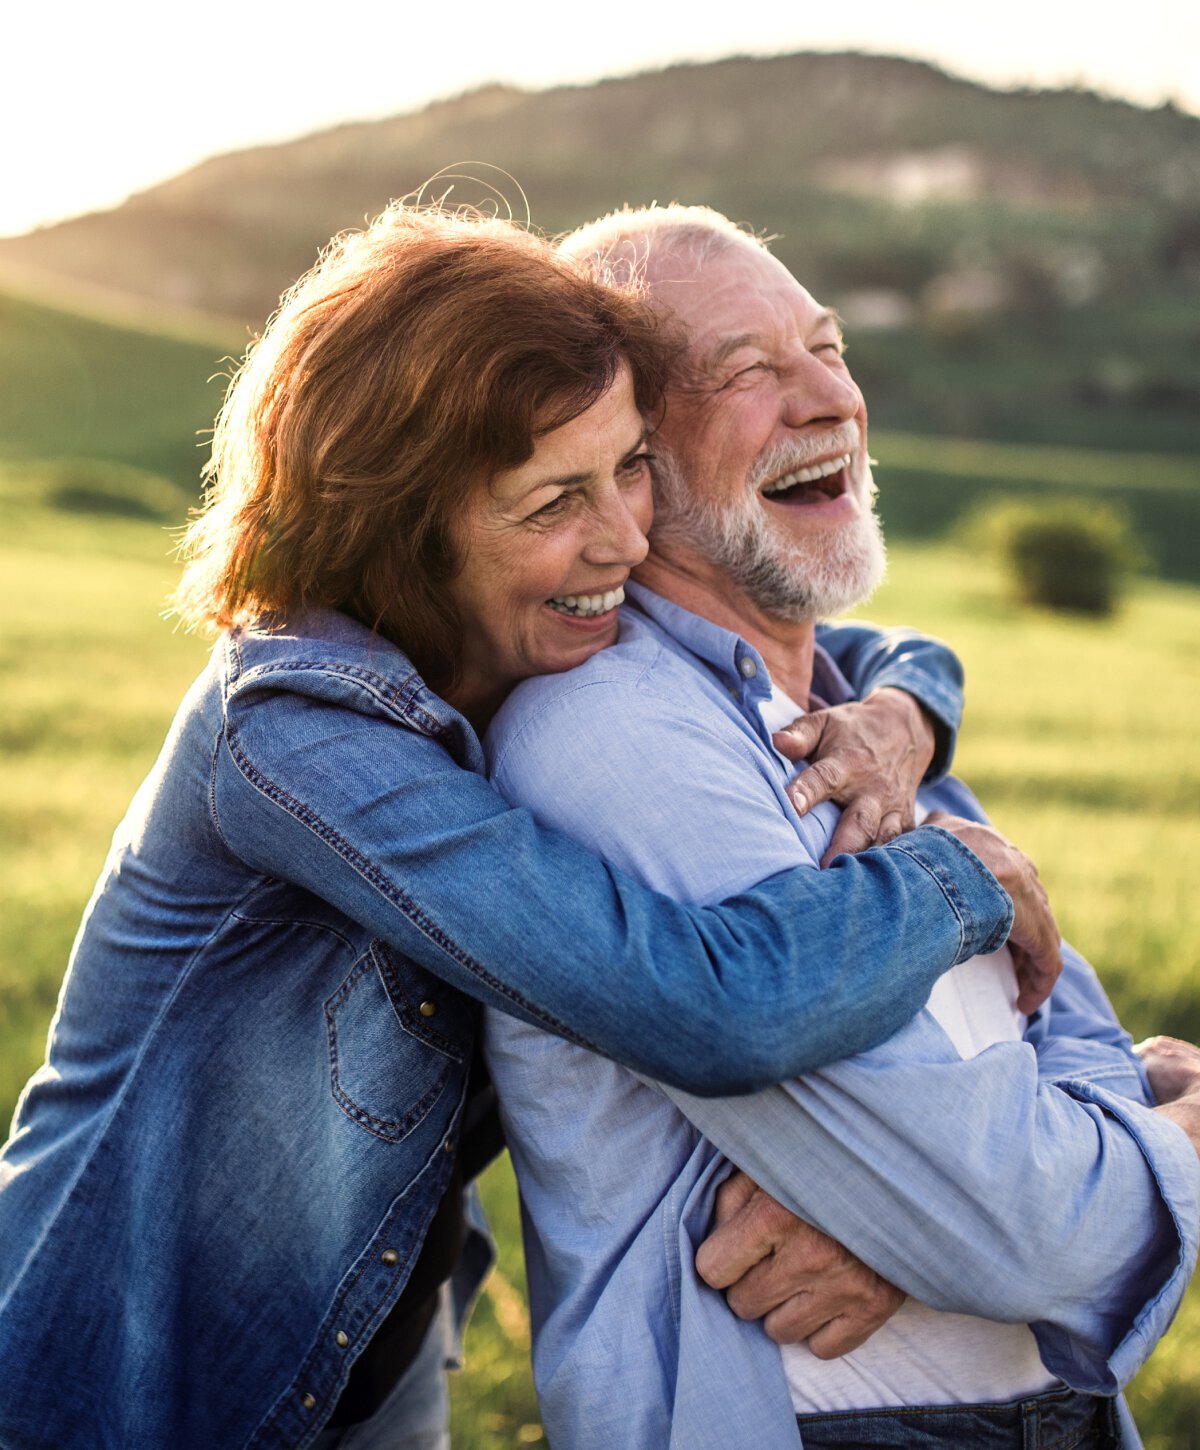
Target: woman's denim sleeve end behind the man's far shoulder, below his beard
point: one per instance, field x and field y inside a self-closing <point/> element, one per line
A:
<point x="925" y="668"/>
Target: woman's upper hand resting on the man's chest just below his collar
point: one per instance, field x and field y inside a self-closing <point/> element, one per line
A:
<point x="869" y="758"/>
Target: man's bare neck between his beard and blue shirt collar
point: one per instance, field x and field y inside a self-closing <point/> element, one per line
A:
<point x="786" y="646"/>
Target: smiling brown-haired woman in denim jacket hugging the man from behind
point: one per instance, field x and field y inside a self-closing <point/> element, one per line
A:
<point x="257" y="1093"/>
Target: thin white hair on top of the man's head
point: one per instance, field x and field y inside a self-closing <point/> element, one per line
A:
<point x="633" y="249"/>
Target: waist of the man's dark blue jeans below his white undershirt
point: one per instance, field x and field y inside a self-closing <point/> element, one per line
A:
<point x="1060" y="1420"/>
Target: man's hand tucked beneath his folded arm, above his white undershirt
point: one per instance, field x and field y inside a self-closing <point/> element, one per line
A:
<point x="776" y="1268"/>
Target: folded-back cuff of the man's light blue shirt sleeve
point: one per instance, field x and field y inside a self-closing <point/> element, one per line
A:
<point x="1176" y="1169"/>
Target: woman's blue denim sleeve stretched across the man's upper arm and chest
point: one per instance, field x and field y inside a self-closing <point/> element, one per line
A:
<point x="376" y="817"/>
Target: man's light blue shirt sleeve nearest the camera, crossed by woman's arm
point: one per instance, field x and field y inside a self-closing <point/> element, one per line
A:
<point x="975" y="1185"/>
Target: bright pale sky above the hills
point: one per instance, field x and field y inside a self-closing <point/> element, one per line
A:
<point x="99" y="101"/>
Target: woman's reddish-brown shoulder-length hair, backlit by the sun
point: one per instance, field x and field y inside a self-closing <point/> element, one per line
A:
<point x="418" y="359"/>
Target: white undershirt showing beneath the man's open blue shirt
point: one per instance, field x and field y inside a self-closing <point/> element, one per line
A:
<point x="925" y="1356"/>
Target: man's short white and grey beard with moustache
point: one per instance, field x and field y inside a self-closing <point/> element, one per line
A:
<point x="802" y="581"/>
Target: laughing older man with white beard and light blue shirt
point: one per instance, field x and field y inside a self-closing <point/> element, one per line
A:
<point x="1011" y="1177"/>
